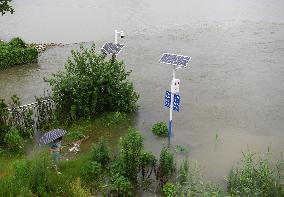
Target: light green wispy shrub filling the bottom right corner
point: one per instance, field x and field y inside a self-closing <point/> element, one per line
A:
<point x="256" y="177"/>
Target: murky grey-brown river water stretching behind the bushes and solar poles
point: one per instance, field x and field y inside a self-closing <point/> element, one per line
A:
<point x="232" y="94"/>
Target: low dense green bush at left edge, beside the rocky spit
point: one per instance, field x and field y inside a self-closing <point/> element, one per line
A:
<point x="15" y="52"/>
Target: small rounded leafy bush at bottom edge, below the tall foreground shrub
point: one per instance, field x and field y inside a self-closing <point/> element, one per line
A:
<point x="120" y="186"/>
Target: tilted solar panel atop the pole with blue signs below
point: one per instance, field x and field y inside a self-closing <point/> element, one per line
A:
<point x="176" y="60"/>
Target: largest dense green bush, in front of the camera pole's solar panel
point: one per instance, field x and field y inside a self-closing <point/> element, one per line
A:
<point x="91" y="85"/>
